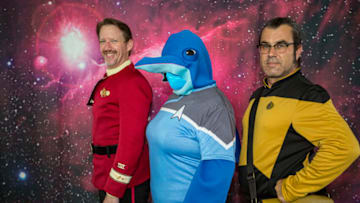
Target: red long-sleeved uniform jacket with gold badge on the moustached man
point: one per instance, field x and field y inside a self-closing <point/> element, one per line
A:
<point x="121" y="104"/>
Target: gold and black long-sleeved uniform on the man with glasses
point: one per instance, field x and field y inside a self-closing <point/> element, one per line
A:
<point x="294" y="119"/>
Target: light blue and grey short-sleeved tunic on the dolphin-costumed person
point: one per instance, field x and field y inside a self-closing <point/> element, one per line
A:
<point x="187" y="130"/>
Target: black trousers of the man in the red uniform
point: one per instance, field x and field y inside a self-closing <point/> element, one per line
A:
<point x="141" y="194"/>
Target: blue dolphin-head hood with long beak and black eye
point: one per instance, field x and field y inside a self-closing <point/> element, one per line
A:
<point x="186" y="56"/>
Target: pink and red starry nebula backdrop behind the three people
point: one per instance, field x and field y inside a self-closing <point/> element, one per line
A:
<point x="50" y="61"/>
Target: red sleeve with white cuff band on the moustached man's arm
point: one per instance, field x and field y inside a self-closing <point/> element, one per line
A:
<point x="134" y="106"/>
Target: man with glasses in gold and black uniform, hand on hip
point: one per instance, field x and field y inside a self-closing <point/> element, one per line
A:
<point x="298" y="142"/>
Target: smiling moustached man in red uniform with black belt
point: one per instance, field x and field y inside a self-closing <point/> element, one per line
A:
<point x="121" y="103"/>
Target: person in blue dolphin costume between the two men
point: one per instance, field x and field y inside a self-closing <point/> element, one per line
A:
<point x="192" y="138"/>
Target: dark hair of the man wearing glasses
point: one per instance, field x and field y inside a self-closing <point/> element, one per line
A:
<point x="295" y="28"/>
